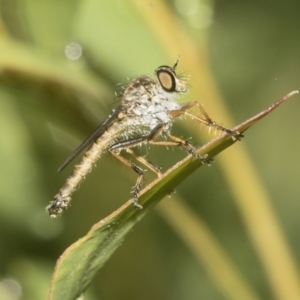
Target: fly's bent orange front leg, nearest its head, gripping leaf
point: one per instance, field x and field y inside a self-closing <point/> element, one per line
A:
<point x="235" y="135"/>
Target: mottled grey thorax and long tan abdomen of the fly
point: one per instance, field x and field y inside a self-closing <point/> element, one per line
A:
<point x="145" y="104"/>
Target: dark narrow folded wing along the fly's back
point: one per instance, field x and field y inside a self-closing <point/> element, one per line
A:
<point x="97" y="133"/>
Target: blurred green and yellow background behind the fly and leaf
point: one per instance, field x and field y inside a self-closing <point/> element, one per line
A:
<point x="60" y="62"/>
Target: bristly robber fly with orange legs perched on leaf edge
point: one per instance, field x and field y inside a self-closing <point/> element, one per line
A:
<point x="147" y="112"/>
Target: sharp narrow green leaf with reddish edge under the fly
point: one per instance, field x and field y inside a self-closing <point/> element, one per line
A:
<point x="79" y="263"/>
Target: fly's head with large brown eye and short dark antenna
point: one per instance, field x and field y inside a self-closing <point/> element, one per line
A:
<point x="169" y="81"/>
